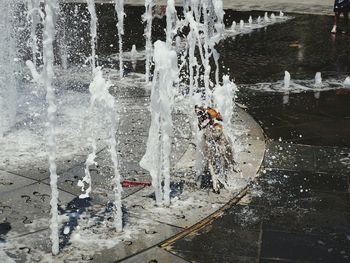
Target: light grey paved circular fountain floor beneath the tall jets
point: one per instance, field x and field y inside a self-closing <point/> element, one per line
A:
<point x="25" y="192"/>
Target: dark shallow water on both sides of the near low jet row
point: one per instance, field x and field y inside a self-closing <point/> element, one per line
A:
<point x="303" y="46"/>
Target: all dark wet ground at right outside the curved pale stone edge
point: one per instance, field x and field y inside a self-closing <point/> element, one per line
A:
<point x="298" y="210"/>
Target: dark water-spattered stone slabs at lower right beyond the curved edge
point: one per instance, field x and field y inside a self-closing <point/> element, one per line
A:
<point x="294" y="215"/>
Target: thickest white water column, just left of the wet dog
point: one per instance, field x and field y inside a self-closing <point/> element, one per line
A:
<point x="157" y="157"/>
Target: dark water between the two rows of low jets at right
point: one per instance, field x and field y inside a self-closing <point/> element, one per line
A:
<point x="301" y="46"/>
